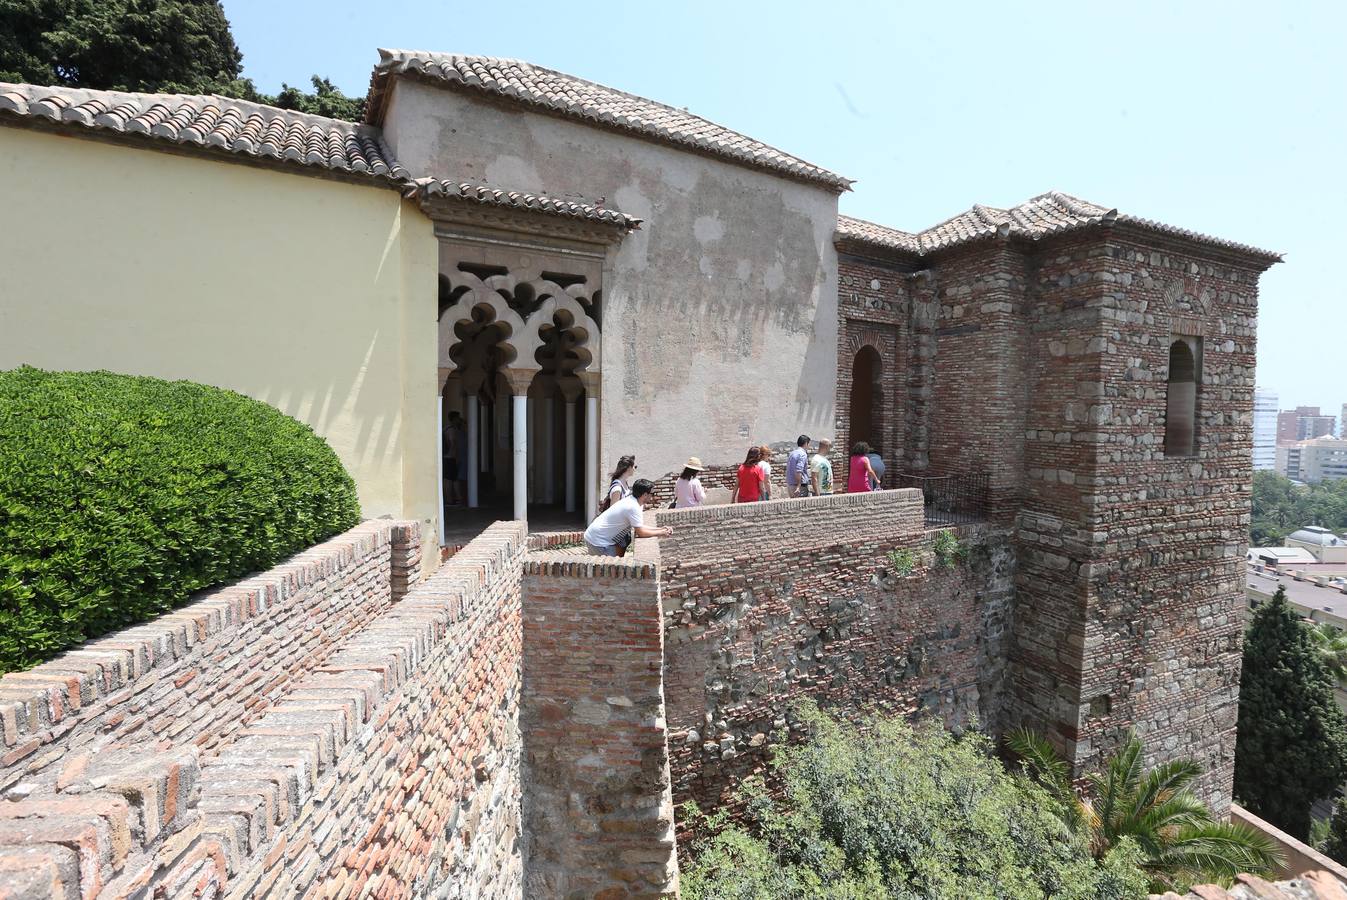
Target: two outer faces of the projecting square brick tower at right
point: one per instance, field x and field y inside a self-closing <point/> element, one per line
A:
<point x="1129" y="560"/>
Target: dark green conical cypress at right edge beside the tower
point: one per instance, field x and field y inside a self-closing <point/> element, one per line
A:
<point x="1292" y="739"/>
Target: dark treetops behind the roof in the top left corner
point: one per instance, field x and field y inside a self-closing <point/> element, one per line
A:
<point x="154" y="46"/>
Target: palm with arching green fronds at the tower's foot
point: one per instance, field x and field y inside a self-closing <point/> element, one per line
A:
<point x="1155" y="809"/>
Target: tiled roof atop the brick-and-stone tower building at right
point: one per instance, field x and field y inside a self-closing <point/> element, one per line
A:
<point x="1045" y="216"/>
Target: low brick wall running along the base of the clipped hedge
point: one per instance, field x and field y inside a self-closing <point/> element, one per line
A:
<point x="197" y="676"/>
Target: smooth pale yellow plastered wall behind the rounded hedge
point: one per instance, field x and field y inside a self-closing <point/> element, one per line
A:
<point x="317" y="297"/>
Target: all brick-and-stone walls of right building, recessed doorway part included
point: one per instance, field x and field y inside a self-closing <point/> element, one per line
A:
<point x="1046" y="367"/>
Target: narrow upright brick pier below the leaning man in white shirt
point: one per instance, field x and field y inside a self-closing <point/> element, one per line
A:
<point x="599" y="817"/>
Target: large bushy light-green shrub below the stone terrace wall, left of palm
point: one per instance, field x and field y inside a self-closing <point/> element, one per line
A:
<point x="887" y="810"/>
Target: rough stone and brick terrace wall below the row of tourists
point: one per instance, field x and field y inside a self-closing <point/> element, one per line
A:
<point x="766" y="604"/>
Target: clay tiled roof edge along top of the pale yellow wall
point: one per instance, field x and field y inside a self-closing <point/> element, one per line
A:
<point x="255" y="131"/>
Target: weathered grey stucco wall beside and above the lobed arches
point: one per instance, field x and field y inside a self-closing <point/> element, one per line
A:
<point x="720" y="315"/>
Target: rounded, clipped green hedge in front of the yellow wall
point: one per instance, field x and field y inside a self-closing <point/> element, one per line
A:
<point x="122" y="496"/>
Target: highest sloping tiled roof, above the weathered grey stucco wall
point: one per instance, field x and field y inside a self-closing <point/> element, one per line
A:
<point x="558" y="94"/>
